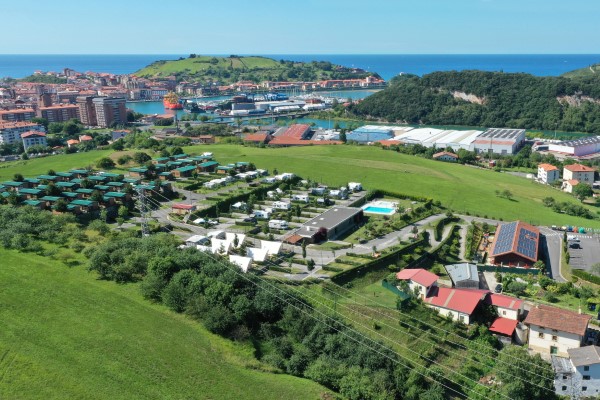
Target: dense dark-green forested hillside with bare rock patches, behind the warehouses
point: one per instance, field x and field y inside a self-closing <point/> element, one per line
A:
<point x="489" y="99"/>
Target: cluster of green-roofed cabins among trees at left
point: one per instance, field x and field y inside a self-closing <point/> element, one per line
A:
<point x="68" y="187"/>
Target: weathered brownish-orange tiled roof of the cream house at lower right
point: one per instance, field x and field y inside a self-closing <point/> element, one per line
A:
<point x="558" y="319"/>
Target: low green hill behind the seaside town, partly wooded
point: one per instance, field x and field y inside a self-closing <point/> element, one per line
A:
<point x="235" y="68"/>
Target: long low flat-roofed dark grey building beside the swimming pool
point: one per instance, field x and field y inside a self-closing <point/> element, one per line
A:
<point x="330" y="225"/>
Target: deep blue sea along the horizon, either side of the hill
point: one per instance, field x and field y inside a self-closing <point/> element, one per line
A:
<point x="386" y="65"/>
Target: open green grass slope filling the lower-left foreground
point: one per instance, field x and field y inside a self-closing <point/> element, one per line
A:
<point x="66" y="335"/>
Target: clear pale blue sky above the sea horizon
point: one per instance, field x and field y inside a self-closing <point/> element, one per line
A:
<point x="299" y="26"/>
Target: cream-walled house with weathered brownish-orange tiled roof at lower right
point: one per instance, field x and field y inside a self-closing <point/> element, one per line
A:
<point x="554" y="330"/>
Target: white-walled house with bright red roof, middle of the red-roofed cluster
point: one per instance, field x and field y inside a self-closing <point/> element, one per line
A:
<point x="459" y="304"/>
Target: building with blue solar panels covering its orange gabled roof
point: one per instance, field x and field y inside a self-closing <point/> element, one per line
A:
<point x="515" y="244"/>
